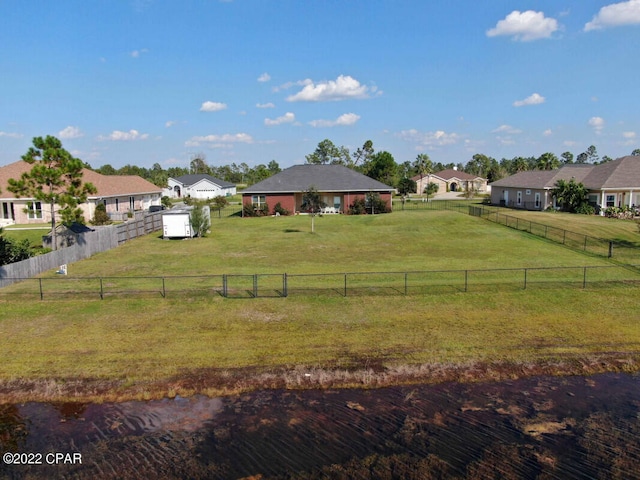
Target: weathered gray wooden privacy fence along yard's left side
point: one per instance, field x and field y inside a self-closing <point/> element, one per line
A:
<point x="90" y="243"/>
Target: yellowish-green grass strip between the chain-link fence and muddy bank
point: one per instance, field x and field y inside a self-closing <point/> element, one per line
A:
<point x="142" y="339"/>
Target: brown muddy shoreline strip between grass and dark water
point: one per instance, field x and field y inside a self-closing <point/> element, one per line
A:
<point x="361" y="374"/>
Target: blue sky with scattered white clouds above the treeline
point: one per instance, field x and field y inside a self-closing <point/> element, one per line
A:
<point x="152" y="81"/>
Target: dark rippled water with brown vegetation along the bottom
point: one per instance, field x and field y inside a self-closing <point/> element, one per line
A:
<point x="545" y="428"/>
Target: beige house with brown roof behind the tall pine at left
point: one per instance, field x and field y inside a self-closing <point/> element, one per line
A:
<point x="120" y="194"/>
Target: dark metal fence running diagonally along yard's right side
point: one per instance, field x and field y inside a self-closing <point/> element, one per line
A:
<point x="619" y="251"/>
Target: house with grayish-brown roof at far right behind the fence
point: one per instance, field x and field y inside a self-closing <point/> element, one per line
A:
<point x="611" y="184"/>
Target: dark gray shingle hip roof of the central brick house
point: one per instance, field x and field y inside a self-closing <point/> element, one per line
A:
<point x="325" y="178"/>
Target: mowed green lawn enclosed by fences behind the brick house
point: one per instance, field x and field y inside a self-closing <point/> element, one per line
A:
<point x="402" y="241"/>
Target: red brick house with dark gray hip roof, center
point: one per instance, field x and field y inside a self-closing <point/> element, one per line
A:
<point x="337" y="185"/>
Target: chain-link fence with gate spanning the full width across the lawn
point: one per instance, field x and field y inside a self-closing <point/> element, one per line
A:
<point x="331" y="284"/>
